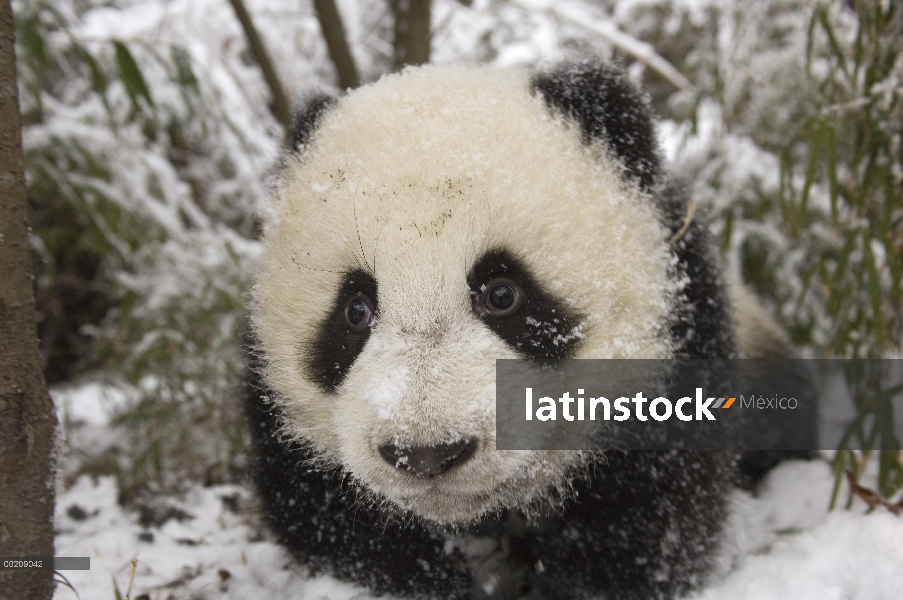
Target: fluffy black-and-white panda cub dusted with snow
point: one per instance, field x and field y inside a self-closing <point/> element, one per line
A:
<point x="423" y="227"/>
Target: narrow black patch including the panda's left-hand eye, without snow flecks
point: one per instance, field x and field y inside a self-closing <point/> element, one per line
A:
<point x="344" y="331"/>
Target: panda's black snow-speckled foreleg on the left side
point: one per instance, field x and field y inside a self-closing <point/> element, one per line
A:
<point x="327" y="525"/>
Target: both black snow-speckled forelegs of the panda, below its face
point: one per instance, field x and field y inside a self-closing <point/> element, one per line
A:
<point x="631" y="530"/>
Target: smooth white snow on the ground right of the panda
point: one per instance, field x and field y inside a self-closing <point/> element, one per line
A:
<point x="788" y="545"/>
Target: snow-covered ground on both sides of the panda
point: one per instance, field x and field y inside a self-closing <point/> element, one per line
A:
<point x="209" y="544"/>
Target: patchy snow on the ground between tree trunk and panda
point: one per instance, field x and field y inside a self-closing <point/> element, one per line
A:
<point x="215" y="551"/>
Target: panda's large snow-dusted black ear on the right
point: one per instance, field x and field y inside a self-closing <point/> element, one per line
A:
<point x="608" y="108"/>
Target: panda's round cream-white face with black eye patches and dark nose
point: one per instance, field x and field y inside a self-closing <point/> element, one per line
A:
<point x="439" y="220"/>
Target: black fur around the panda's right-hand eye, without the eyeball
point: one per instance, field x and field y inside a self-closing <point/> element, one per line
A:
<point x="542" y="327"/>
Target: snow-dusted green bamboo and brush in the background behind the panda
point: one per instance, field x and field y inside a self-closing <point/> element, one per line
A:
<point x="148" y="138"/>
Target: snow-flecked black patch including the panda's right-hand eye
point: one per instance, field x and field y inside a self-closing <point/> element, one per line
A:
<point x="509" y="299"/>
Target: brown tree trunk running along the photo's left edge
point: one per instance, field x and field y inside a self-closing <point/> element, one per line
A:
<point x="27" y="419"/>
